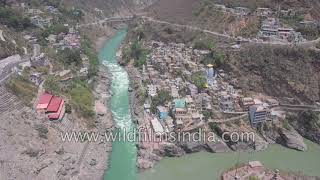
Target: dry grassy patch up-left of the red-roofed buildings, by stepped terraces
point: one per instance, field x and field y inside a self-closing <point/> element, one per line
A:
<point x="22" y="88"/>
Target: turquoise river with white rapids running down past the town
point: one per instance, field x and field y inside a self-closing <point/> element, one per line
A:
<point x="123" y="156"/>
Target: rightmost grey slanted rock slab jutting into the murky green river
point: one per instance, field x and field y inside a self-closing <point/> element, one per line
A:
<point x="292" y="140"/>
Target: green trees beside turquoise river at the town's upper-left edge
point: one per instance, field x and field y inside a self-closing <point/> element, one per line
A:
<point x="137" y="53"/>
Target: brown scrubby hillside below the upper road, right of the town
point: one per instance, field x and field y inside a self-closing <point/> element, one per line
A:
<point x="279" y="71"/>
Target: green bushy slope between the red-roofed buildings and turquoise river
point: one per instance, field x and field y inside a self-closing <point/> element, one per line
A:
<point x="82" y="99"/>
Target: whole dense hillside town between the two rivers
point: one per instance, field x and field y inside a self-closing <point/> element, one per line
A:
<point x="169" y="68"/>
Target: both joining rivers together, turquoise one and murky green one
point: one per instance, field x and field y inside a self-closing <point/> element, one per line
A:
<point x="202" y="165"/>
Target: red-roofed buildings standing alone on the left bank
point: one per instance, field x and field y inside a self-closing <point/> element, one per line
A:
<point x="51" y="106"/>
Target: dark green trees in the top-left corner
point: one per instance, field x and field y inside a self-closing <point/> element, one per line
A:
<point x="14" y="19"/>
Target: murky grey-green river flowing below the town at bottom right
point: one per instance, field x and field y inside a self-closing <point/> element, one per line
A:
<point x="205" y="165"/>
